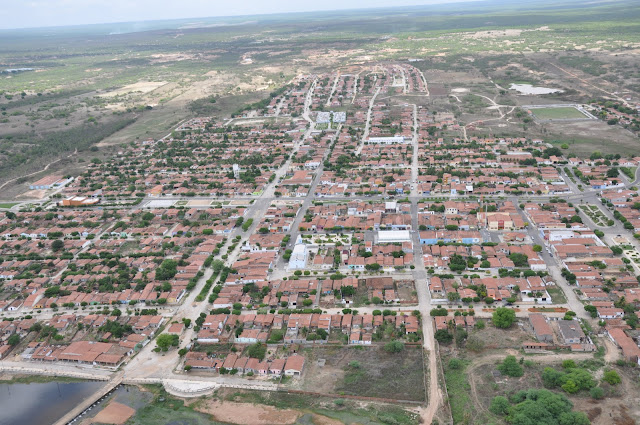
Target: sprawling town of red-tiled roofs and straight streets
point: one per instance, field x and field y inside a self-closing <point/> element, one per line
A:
<point x="342" y="213"/>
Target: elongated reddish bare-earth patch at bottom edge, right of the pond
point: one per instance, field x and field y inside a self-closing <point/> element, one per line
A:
<point x="249" y="414"/>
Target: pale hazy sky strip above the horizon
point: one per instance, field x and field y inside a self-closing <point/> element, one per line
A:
<point x="46" y="13"/>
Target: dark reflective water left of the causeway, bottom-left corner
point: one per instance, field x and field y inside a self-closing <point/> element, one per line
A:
<point x="41" y="403"/>
